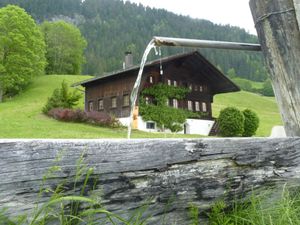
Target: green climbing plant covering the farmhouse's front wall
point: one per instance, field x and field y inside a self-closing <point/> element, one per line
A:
<point x="160" y="112"/>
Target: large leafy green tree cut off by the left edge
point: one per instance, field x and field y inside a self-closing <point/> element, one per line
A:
<point x="22" y="50"/>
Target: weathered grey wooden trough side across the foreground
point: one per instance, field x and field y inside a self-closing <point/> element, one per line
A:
<point x="196" y="171"/>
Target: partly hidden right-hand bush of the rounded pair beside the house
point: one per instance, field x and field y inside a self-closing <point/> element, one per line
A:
<point x="251" y="123"/>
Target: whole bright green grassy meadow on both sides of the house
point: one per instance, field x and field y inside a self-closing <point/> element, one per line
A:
<point x="21" y="116"/>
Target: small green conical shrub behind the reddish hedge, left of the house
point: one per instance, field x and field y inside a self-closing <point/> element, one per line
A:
<point x="62" y="98"/>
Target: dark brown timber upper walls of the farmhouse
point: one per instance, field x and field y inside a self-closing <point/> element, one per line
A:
<point x="120" y="85"/>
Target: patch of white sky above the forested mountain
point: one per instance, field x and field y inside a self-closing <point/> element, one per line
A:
<point x="233" y="12"/>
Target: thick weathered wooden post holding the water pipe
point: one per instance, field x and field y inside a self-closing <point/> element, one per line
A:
<point x="279" y="36"/>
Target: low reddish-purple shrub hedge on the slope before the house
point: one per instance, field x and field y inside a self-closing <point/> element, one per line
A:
<point x="96" y="118"/>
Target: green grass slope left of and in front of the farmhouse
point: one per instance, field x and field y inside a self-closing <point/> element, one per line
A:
<point x="21" y="117"/>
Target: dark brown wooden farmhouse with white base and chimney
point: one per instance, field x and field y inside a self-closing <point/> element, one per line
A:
<point x="111" y="92"/>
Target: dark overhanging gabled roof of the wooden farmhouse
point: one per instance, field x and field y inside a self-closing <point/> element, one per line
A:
<point x="192" y="60"/>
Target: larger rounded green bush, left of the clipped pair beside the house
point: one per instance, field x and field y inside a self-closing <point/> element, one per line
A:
<point x="231" y="122"/>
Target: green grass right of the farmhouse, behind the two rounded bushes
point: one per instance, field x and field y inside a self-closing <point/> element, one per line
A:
<point x="265" y="107"/>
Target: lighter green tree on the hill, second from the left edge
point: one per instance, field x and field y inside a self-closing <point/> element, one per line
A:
<point x="65" y="46"/>
